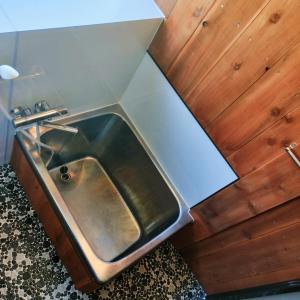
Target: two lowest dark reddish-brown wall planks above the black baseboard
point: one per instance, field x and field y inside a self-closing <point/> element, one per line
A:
<point x="260" y="251"/>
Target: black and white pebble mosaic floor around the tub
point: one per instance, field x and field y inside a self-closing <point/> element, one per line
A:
<point x="30" y="268"/>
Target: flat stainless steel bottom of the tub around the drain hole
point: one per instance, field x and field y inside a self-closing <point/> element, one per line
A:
<point x="97" y="207"/>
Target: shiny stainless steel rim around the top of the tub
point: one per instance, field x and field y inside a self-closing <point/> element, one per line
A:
<point x="101" y="270"/>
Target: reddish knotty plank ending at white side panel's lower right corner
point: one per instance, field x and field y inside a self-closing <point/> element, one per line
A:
<point x="268" y="145"/>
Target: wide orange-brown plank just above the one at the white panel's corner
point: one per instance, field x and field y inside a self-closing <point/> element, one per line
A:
<point x="268" y="100"/>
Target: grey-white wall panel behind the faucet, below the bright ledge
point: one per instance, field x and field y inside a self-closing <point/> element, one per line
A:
<point x="79" y="67"/>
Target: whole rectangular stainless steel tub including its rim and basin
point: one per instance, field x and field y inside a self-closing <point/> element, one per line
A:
<point x="113" y="197"/>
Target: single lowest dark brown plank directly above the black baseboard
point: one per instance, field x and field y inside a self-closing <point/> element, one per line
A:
<point x="260" y="261"/>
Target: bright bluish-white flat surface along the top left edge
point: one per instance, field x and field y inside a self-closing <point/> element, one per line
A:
<point x="38" y="15"/>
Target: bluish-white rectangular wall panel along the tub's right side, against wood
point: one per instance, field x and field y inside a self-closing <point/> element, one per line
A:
<point x="192" y="162"/>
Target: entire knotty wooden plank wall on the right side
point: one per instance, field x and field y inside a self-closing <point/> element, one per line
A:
<point x="236" y="64"/>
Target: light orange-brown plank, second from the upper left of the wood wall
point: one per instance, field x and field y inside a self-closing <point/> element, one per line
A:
<point x="222" y="25"/>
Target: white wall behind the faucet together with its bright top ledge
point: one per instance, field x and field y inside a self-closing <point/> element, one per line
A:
<point x="78" y="54"/>
